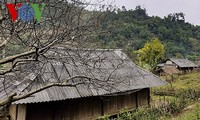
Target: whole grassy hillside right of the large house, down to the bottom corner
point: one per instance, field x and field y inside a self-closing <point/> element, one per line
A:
<point x="182" y="97"/>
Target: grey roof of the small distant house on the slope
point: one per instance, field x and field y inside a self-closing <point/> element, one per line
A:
<point x="183" y="62"/>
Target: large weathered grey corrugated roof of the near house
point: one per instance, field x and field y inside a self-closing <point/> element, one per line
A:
<point x="123" y="75"/>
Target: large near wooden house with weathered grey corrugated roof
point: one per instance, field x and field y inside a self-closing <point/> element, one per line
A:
<point x="128" y="86"/>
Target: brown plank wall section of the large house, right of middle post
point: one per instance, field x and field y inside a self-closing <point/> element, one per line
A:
<point x="113" y="104"/>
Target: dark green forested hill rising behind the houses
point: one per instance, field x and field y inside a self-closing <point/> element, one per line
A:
<point x="130" y="29"/>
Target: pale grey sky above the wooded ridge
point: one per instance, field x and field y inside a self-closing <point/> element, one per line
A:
<point x="191" y="8"/>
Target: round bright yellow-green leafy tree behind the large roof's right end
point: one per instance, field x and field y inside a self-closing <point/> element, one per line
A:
<point x="150" y="54"/>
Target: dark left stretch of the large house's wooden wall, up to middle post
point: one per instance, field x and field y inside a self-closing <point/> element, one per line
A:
<point x="76" y="109"/>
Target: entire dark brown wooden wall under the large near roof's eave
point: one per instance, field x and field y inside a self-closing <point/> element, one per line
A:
<point x="89" y="108"/>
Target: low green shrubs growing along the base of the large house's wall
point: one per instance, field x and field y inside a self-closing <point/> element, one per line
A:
<point x="151" y="113"/>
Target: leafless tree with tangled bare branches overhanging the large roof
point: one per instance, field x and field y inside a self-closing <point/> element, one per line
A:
<point x="26" y="44"/>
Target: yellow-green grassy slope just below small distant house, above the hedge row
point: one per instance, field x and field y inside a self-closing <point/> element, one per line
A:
<point x="183" y="87"/>
